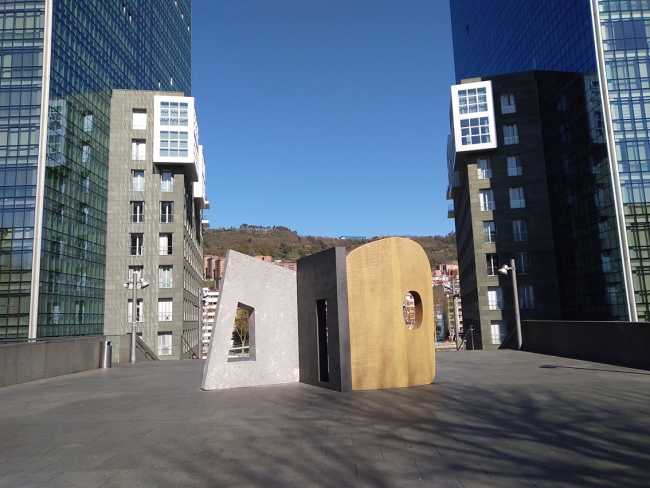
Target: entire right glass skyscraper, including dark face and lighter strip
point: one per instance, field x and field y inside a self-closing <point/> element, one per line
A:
<point x="592" y="62"/>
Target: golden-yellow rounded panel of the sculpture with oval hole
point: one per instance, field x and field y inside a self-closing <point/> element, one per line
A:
<point x="384" y="352"/>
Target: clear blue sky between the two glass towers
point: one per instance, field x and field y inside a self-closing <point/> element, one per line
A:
<point x="328" y="117"/>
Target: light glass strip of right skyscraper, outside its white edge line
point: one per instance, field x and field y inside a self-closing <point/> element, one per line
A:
<point x="625" y="31"/>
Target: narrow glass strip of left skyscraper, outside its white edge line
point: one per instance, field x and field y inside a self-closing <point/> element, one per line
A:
<point x="21" y="57"/>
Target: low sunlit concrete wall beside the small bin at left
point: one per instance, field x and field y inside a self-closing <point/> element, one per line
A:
<point x="31" y="361"/>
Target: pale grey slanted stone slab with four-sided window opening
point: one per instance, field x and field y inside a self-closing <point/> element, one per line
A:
<point x="270" y="293"/>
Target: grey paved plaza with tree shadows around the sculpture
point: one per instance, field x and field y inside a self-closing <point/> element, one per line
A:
<point x="494" y="419"/>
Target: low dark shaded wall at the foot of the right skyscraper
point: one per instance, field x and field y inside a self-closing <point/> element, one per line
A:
<point x="621" y="343"/>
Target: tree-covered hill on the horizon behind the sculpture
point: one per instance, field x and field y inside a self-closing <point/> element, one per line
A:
<point x="285" y="244"/>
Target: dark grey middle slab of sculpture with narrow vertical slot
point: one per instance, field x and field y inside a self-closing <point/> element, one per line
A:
<point x="323" y="276"/>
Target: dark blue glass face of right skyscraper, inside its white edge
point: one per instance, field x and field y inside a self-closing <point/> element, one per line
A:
<point x="556" y="39"/>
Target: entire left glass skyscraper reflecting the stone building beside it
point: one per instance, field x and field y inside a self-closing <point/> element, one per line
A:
<point x="60" y="60"/>
